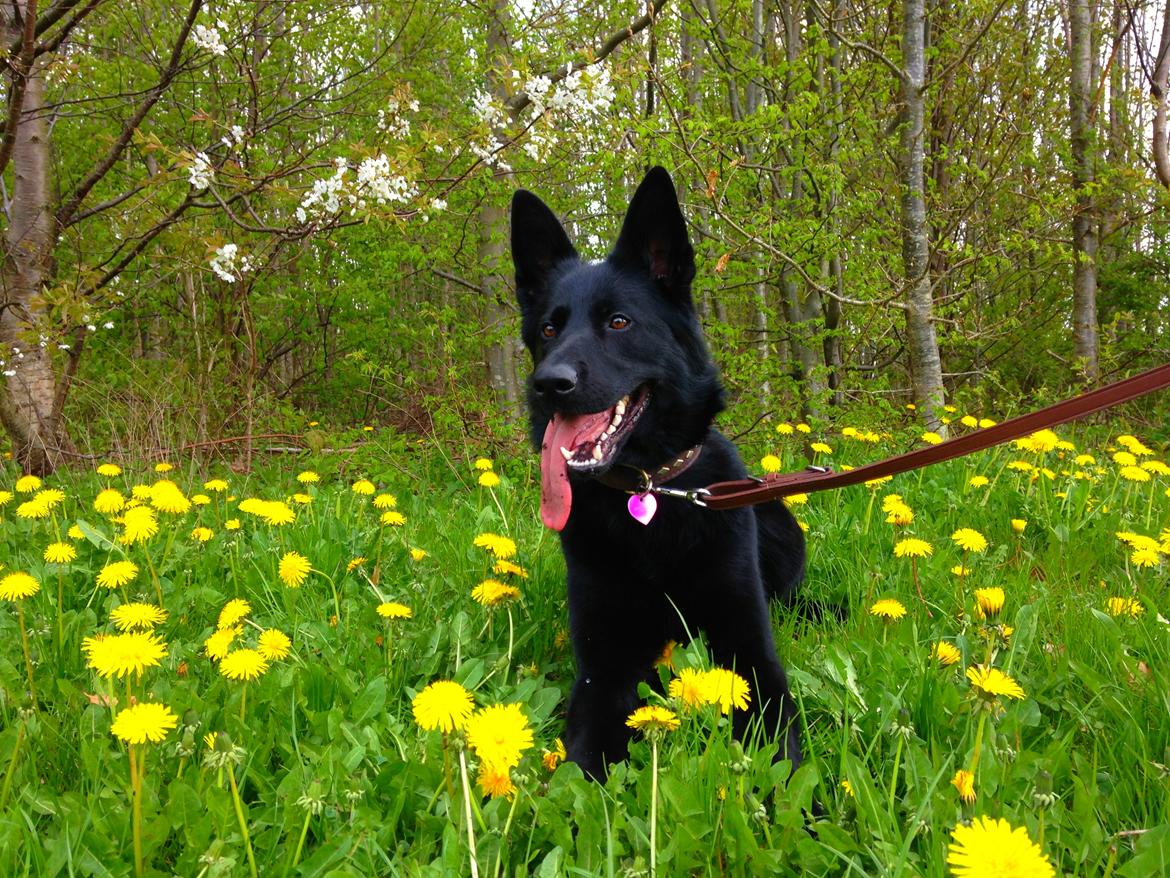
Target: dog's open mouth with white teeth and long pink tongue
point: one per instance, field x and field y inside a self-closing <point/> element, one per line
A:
<point x="584" y="444"/>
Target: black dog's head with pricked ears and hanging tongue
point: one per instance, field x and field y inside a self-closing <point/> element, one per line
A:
<point x="621" y="371"/>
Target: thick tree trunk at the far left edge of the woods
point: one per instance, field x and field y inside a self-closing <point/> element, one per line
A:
<point x="29" y="406"/>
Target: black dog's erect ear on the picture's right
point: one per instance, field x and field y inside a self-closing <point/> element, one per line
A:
<point x="655" y="236"/>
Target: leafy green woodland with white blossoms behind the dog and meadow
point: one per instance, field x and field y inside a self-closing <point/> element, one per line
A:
<point x="229" y="218"/>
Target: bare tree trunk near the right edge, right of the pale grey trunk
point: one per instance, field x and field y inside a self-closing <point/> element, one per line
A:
<point x="1085" y="235"/>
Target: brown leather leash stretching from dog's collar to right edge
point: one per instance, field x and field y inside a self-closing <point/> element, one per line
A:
<point x="774" y="486"/>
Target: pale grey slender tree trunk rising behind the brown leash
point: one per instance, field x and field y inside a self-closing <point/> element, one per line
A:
<point x="926" y="365"/>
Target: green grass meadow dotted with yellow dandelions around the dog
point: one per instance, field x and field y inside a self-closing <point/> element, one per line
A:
<point x="319" y="769"/>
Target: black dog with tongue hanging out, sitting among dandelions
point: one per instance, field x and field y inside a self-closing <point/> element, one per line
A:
<point x="623" y="390"/>
